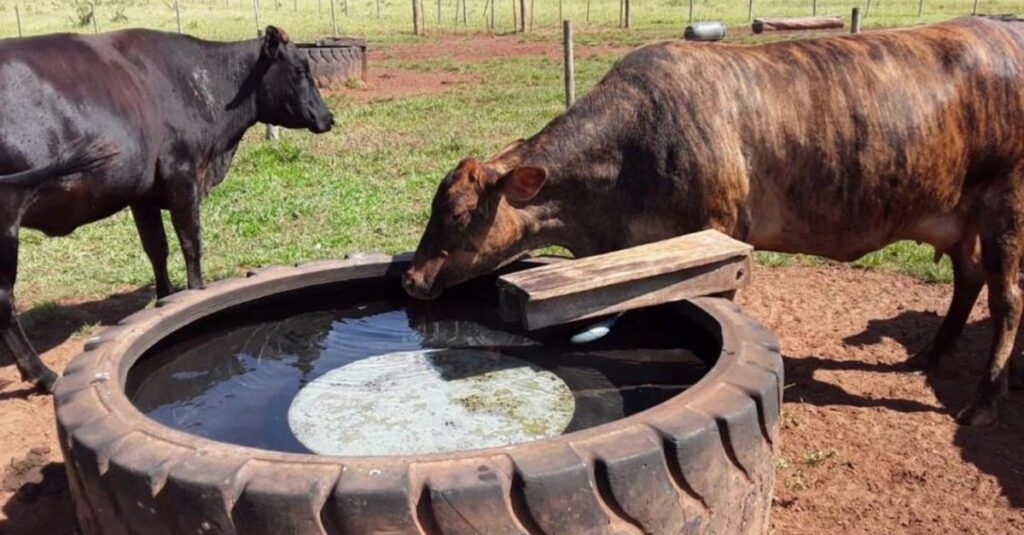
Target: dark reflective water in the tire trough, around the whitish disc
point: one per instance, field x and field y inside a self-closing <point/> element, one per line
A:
<point x="234" y="378"/>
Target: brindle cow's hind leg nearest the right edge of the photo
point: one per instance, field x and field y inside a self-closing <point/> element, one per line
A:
<point x="1002" y="241"/>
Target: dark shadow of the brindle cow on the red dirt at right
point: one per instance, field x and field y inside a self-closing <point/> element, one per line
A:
<point x="998" y="451"/>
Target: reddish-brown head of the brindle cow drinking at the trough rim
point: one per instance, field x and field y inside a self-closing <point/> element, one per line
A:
<point x="478" y="225"/>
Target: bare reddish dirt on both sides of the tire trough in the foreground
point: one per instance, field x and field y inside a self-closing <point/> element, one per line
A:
<point x="868" y="447"/>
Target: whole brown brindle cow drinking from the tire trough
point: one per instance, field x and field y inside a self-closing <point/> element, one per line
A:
<point x="833" y="147"/>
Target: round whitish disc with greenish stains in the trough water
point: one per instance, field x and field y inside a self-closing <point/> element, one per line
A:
<point x="429" y="402"/>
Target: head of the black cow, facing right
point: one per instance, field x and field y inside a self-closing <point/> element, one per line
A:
<point x="287" y="95"/>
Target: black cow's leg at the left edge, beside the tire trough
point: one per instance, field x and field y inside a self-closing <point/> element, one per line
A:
<point x="29" y="364"/>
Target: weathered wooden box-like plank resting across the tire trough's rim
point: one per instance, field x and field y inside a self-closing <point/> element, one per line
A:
<point x="700" y="264"/>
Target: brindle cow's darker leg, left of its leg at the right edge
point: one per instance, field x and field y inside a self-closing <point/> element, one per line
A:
<point x="969" y="277"/>
